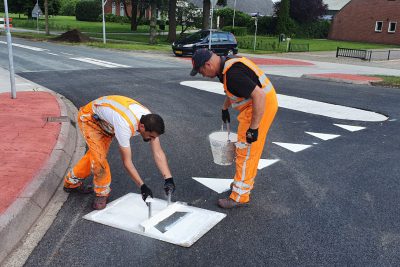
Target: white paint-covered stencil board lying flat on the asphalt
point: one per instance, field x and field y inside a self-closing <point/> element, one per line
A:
<point x="130" y="211"/>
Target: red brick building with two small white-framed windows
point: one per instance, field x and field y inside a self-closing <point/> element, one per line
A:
<point x="373" y="21"/>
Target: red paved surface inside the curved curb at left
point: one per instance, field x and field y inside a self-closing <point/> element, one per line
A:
<point x="27" y="140"/>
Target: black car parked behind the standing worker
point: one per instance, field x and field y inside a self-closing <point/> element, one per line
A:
<point x="222" y="43"/>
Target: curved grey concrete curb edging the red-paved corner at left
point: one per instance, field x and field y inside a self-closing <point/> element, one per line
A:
<point x="26" y="209"/>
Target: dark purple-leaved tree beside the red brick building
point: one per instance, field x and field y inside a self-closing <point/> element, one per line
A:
<point x="305" y="11"/>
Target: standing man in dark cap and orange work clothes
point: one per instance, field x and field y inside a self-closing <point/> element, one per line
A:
<point x="249" y="91"/>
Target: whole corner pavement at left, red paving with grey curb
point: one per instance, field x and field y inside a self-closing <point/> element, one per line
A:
<point x="37" y="144"/>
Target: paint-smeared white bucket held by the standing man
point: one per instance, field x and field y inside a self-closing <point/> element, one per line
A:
<point x="223" y="150"/>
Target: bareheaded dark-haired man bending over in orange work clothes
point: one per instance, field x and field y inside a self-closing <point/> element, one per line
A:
<point x="122" y="117"/>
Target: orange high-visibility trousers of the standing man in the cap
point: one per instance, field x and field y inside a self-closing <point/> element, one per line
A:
<point x="247" y="157"/>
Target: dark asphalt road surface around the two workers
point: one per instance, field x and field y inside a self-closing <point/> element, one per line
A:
<point x="335" y="203"/>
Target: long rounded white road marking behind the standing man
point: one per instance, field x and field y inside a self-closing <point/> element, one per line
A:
<point x="301" y="104"/>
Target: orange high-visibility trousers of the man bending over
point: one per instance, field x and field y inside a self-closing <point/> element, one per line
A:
<point x="95" y="160"/>
